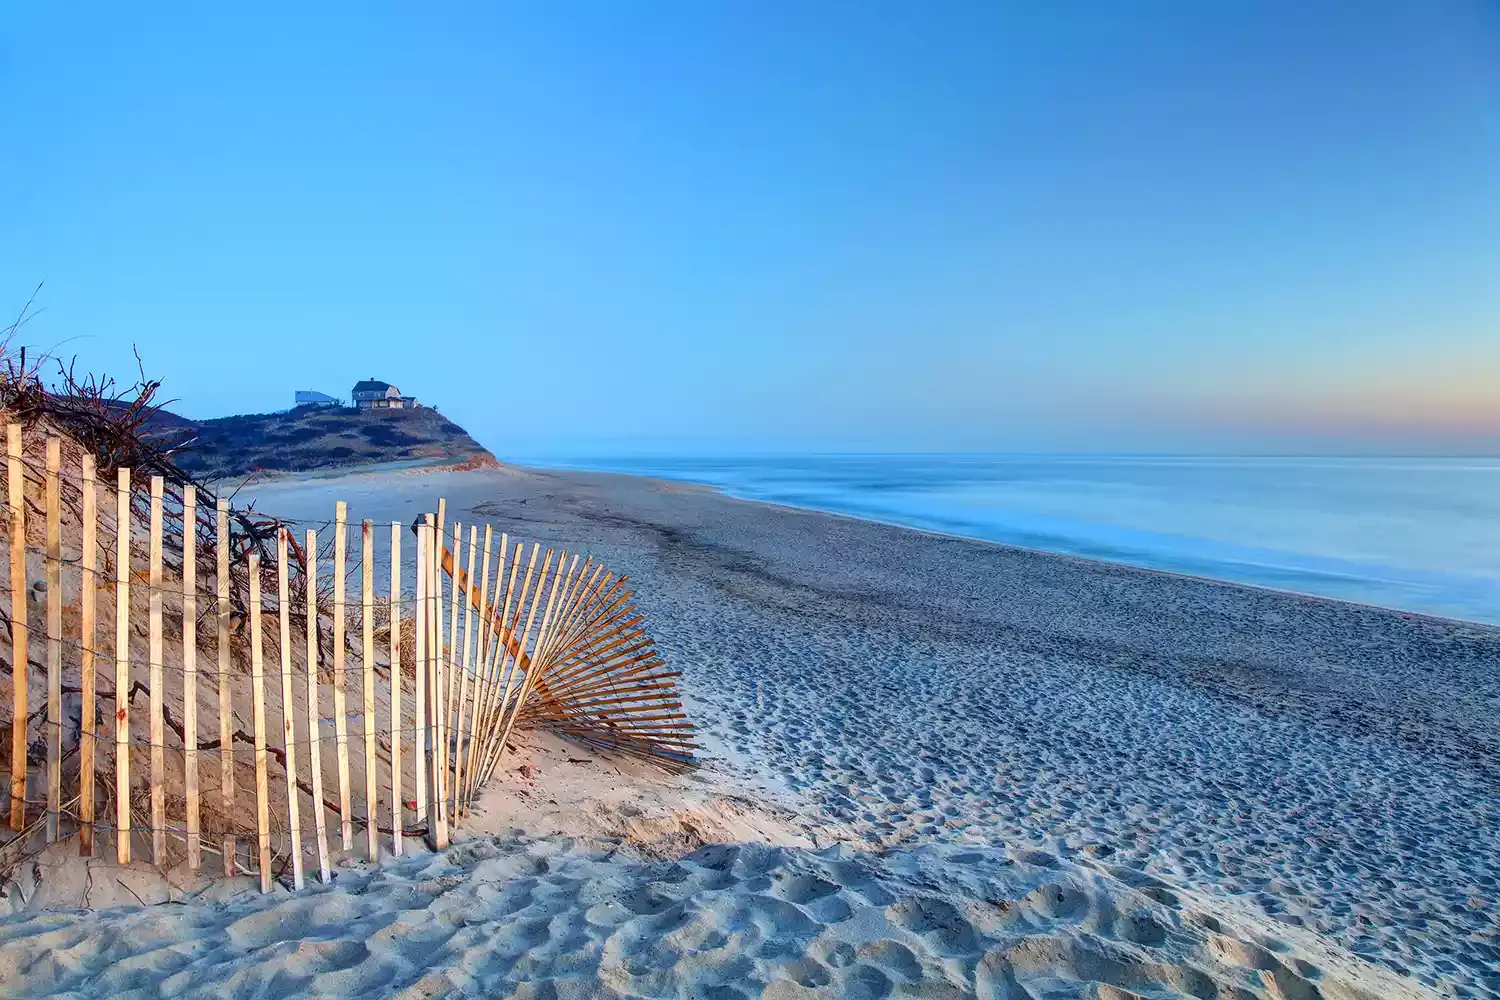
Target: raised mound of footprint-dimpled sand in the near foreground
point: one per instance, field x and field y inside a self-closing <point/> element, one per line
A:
<point x="553" y="918"/>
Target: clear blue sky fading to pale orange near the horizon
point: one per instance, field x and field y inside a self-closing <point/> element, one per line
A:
<point x="779" y="226"/>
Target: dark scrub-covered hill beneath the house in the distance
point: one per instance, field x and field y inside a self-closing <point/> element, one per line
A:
<point x="319" y="439"/>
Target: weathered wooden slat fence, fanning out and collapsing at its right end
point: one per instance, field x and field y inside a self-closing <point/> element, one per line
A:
<point x="445" y="674"/>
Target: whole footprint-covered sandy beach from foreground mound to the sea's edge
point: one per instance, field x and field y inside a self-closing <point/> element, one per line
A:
<point x="935" y="768"/>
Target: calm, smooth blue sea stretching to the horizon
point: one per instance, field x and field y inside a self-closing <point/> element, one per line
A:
<point x="1415" y="534"/>
